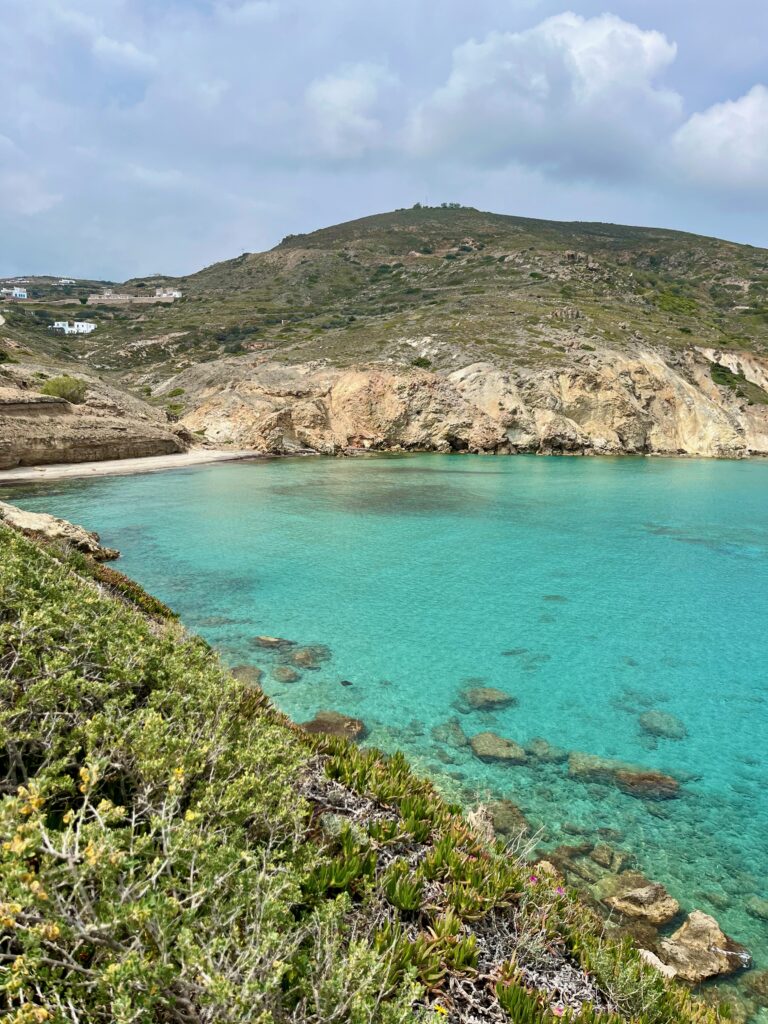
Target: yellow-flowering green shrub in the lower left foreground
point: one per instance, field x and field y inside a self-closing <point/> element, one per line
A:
<point x="156" y="848"/>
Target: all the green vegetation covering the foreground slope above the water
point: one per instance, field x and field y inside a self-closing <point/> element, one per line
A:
<point x="176" y="850"/>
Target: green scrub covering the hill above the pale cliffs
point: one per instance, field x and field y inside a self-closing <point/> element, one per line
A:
<point x="480" y="286"/>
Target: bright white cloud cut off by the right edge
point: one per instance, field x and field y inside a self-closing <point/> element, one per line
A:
<point x="727" y="147"/>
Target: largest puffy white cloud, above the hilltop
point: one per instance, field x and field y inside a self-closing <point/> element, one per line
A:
<point x="574" y="97"/>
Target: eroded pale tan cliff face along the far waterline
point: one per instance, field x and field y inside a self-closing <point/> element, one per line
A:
<point x="608" y="403"/>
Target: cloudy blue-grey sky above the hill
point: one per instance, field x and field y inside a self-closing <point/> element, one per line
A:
<point x="144" y="137"/>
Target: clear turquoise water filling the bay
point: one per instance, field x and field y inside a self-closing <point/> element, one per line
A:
<point x="624" y="585"/>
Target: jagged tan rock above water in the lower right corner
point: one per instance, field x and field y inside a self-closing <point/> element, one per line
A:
<point x="700" y="950"/>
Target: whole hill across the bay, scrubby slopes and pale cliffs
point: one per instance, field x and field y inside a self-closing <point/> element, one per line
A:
<point x="439" y="329"/>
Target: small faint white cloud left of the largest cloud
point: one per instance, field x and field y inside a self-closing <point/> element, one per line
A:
<point x="342" y="109"/>
